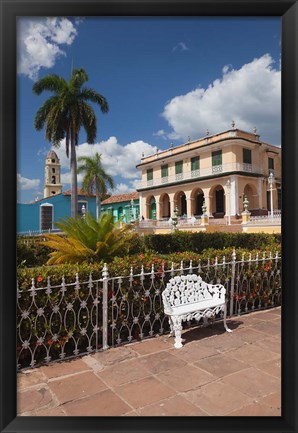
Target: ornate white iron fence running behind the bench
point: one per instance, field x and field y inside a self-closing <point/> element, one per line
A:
<point x="67" y="320"/>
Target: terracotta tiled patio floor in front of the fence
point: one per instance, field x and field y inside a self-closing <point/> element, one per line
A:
<point x="215" y="373"/>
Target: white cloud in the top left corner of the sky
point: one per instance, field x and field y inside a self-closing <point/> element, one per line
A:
<point x="39" y="43"/>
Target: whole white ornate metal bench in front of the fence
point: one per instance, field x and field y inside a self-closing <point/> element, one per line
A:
<point x="188" y="297"/>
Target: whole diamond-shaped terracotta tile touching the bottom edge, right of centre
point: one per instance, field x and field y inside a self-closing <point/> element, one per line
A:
<point x="217" y="398"/>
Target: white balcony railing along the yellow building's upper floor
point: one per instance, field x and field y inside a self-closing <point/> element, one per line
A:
<point x="202" y="172"/>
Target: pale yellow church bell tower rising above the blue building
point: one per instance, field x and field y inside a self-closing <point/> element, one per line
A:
<point x="52" y="184"/>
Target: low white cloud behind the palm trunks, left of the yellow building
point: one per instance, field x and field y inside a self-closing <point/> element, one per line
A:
<point x="118" y="160"/>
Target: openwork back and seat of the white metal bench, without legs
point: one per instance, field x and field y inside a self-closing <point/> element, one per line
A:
<point x="189" y="292"/>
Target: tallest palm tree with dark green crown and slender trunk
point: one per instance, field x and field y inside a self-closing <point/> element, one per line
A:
<point x="65" y="112"/>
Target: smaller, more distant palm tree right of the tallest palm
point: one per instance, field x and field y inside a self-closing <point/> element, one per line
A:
<point x="95" y="178"/>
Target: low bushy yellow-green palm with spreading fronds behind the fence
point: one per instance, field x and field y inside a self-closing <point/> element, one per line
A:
<point x="87" y="240"/>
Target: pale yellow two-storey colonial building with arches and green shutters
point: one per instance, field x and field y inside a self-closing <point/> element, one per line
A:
<point x="219" y="171"/>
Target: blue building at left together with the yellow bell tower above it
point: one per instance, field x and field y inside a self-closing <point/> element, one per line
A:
<point x="43" y="214"/>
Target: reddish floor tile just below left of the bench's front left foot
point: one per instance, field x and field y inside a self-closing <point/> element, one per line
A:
<point x="162" y="361"/>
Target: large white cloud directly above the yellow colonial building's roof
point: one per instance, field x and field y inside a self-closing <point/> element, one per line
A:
<point x="251" y="96"/>
